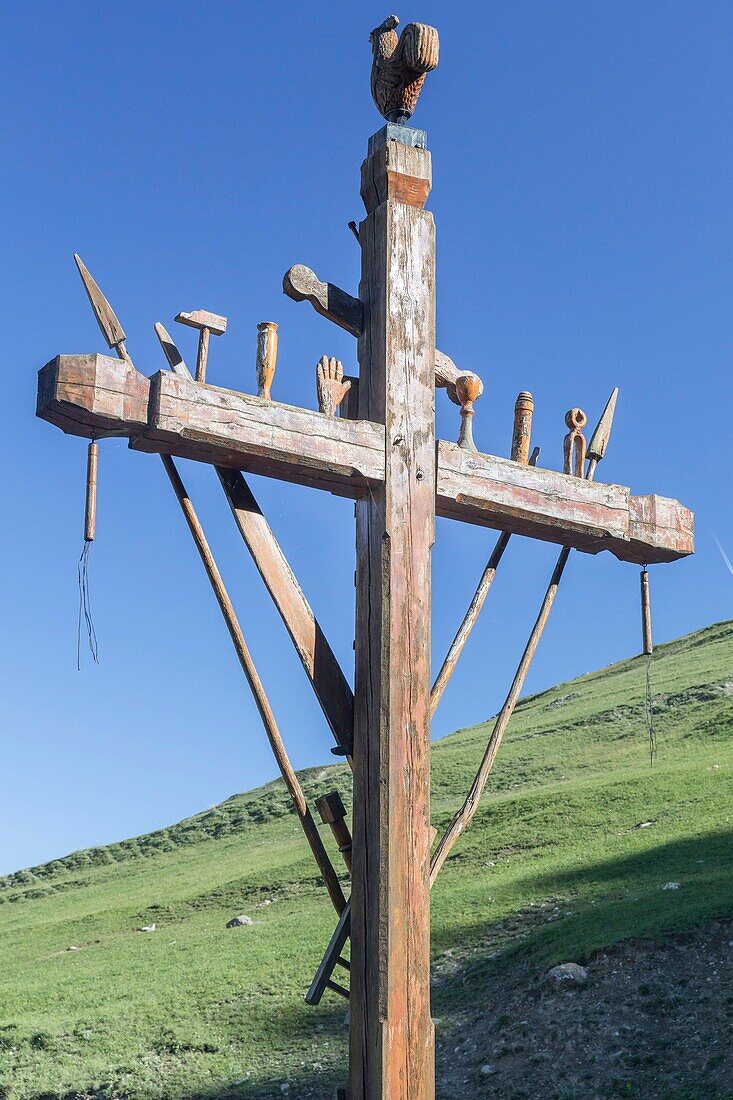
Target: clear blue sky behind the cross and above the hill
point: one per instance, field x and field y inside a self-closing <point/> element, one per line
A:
<point x="583" y="173"/>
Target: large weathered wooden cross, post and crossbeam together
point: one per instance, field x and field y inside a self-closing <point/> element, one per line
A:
<point x="386" y="458"/>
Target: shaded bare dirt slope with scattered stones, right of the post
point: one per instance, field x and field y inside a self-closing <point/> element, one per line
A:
<point x="654" y="1020"/>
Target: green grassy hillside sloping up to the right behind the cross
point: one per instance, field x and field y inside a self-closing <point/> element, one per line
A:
<point x="555" y="867"/>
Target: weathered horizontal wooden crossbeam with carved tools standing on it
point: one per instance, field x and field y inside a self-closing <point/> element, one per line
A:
<point x="171" y="415"/>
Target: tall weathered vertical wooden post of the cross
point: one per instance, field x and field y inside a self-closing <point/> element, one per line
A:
<point x="391" y="1030"/>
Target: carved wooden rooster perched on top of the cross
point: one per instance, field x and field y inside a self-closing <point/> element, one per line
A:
<point x="400" y="67"/>
